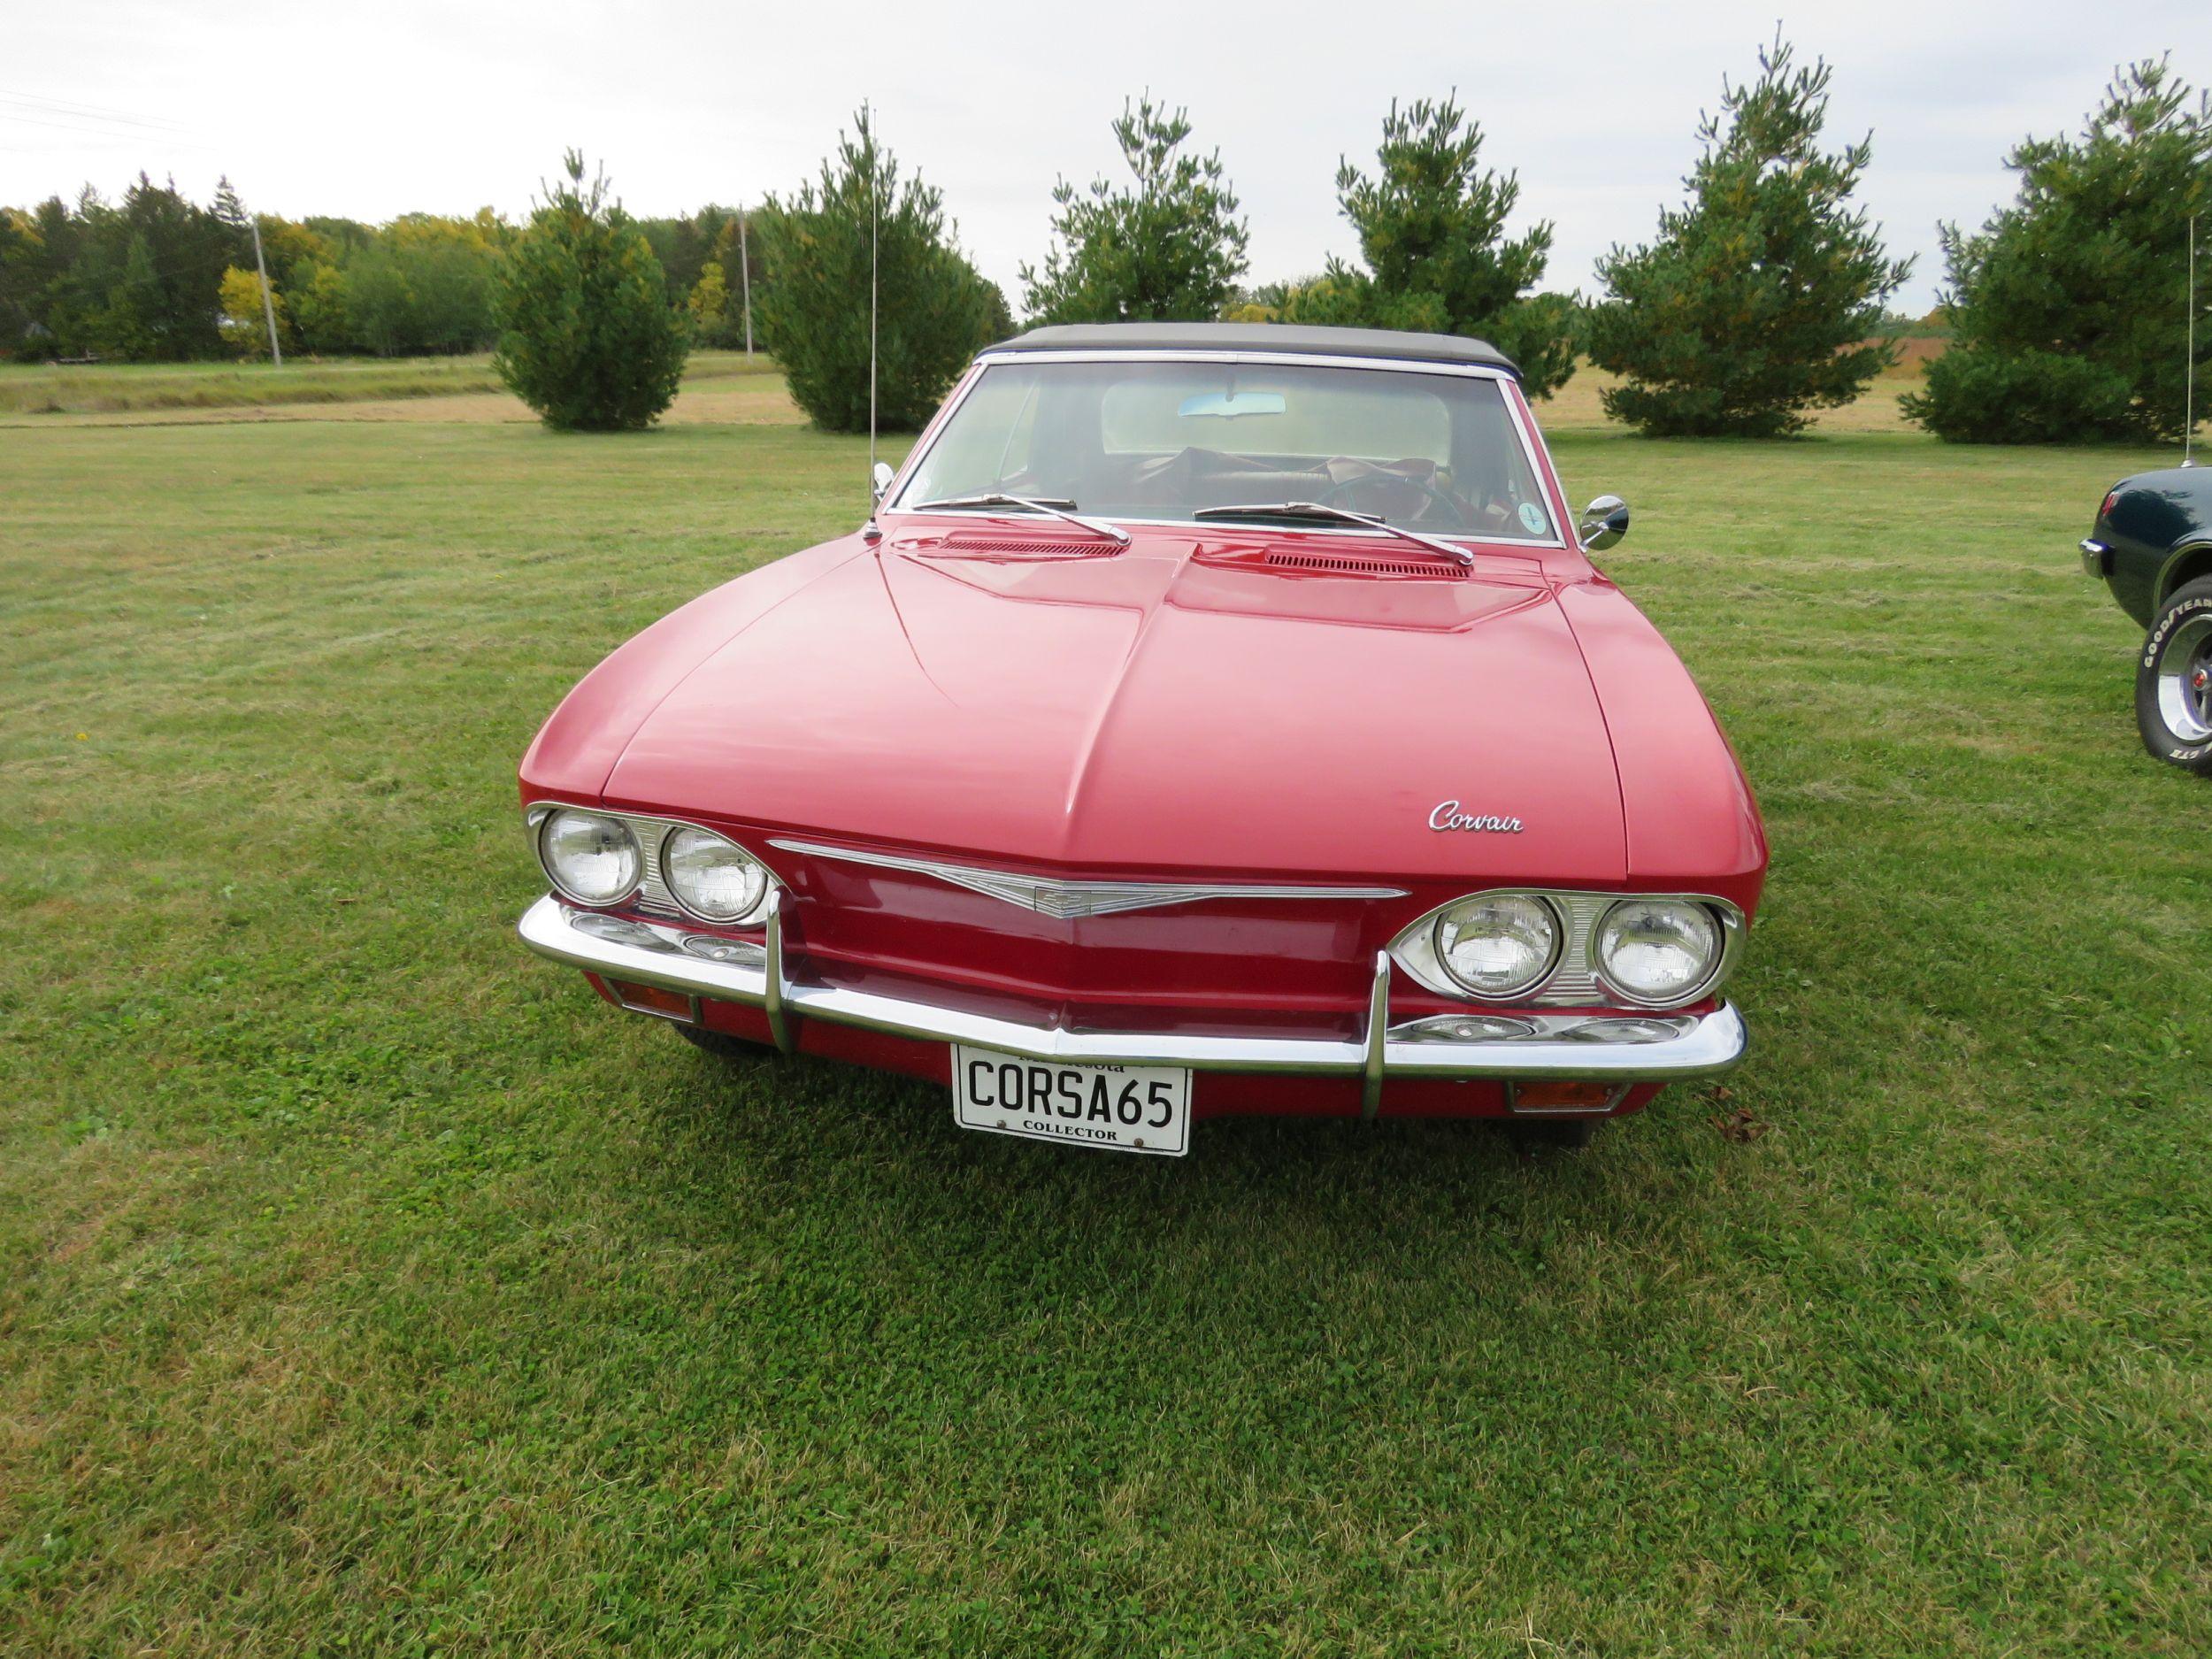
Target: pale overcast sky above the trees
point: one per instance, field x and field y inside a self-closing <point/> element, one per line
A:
<point x="373" y="112"/>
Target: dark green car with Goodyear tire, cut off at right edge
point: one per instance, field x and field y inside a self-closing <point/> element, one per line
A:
<point x="2153" y="545"/>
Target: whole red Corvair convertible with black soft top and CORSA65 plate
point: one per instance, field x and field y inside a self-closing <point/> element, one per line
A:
<point x="1209" y="720"/>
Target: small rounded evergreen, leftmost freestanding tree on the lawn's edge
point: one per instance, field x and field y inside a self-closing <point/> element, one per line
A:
<point x="587" y="335"/>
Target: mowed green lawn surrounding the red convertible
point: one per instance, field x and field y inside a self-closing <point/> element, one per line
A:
<point x="366" y="1286"/>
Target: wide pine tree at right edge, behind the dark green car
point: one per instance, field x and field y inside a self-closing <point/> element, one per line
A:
<point x="2069" y="306"/>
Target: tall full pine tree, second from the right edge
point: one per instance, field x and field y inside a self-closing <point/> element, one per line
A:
<point x="1757" y="302"/>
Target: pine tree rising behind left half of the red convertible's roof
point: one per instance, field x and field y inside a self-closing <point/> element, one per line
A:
<point x="1171" y="249"/>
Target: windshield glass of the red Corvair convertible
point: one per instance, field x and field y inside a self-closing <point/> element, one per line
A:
<point x="1178" y="437"/>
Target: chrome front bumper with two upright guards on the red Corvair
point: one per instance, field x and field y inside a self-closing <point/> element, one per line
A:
<point x="1627" y="1050"/>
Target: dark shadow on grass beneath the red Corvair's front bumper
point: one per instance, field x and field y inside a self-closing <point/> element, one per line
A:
<point x="1260" y="1198"/>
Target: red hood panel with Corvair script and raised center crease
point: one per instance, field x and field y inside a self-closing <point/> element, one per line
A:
<point x="1165" y="709"/>
